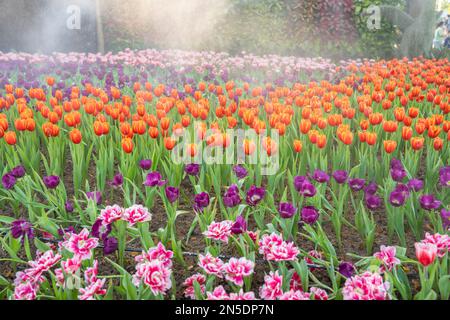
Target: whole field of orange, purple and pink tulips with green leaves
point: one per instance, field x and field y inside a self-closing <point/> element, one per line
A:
<point x="93" y="204"/>
